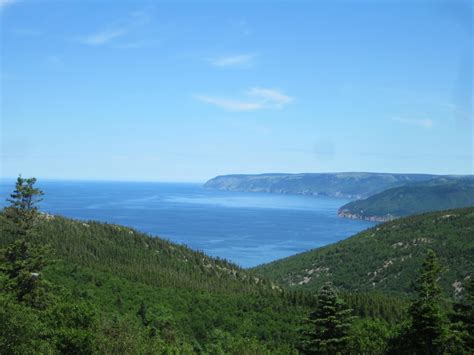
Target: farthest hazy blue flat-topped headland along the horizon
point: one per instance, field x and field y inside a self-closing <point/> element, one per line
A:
<point x="353" y="185"/>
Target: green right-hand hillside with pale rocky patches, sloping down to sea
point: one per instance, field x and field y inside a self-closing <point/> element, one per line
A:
<point x="386" y="257"/>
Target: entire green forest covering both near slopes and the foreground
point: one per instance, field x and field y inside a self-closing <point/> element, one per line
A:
<point x="83" y="287"/>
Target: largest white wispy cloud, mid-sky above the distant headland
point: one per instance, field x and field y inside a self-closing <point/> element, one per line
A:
<point x="257" y="99"/>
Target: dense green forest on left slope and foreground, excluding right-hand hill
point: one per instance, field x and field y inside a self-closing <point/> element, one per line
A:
<point x="85" y="287"/>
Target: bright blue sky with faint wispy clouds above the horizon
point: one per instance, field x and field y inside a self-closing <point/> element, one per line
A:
<point x="184" y="91"/>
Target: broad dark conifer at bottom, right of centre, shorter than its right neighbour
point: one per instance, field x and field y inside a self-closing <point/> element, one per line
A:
<point x="329" y="325"/>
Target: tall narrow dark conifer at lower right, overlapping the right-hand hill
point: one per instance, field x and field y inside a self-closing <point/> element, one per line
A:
<point x="428" y="331"/>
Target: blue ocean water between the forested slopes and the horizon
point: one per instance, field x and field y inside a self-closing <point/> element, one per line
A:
<point x="246" y="228"/>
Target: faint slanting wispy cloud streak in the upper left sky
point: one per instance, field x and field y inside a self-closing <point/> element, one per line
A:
<point x="117" y="30"/>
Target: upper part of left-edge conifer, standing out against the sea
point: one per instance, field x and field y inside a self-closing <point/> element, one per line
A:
<point x="23" y="209"/>
